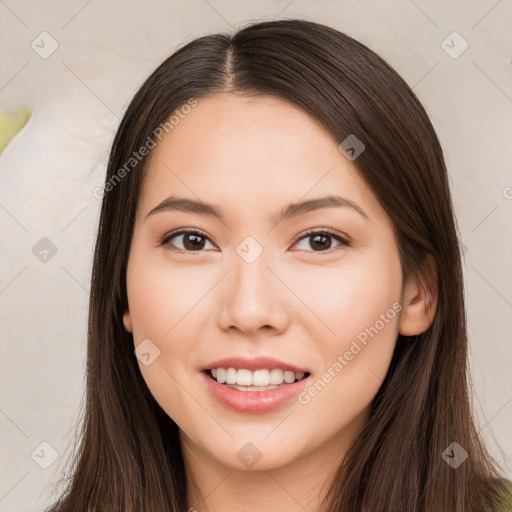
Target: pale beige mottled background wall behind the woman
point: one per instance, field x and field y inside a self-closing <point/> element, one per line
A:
<point x="49" y="170"/>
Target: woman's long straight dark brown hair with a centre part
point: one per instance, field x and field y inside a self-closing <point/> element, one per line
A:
<point x="129" y="456"/>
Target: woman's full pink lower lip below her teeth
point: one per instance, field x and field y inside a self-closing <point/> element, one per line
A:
<point x="254" y="402"/>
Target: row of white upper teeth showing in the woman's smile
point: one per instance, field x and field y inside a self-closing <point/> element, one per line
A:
<point x="254" y="380"/>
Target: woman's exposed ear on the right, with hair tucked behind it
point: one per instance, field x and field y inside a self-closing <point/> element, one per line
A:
<point x="419" y="304"/>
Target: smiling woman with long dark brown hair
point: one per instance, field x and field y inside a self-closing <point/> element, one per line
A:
<point x="276" y="315"/>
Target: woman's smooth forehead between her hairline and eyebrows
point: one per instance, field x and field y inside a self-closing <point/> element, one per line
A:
<point x="257" y="152"/>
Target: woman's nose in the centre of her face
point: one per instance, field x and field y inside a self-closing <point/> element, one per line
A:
<point x="253" y="298"/>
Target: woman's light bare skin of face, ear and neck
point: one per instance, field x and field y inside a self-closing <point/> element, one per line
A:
<point x="297" y="301"/>
